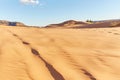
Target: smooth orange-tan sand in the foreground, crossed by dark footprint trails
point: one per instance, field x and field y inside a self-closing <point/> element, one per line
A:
<point x="59" y="54"/>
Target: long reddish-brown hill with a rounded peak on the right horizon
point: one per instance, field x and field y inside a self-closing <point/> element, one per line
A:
<point x="80" y="24"/>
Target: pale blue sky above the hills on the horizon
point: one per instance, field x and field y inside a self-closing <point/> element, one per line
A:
<point x="55" y="11"/>
